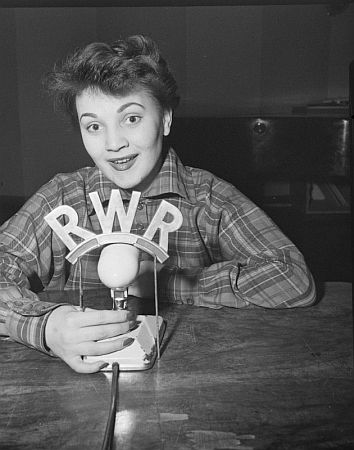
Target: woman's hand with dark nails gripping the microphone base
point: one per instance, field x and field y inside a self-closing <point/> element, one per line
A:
<point x="71" y="333"/>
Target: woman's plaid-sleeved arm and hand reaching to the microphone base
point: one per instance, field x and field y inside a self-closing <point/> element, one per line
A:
<point x="55" y="329"/>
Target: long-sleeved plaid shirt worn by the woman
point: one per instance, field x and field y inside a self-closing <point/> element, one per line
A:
<point x="226" y="253"/>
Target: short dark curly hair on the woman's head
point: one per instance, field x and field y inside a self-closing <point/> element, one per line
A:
<point x="117" y="69"/>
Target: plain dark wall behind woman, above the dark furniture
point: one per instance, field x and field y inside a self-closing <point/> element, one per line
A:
<point x="229" y="61"/>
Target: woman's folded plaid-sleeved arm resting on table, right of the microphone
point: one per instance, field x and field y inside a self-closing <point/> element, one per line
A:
<point x="255" y="264"/>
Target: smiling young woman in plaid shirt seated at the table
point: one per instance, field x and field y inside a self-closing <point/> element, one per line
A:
<point x="226" y="253"/>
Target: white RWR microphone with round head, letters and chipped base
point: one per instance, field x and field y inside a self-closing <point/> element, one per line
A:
<point x="119" y="264"/>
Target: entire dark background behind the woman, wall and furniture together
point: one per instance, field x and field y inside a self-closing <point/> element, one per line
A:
<point x="246" y="73"/>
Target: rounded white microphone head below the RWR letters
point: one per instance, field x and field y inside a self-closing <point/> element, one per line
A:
<point x="118" y="265"/>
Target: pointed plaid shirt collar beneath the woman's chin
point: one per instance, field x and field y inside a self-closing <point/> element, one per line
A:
<point x="173" y="178"/>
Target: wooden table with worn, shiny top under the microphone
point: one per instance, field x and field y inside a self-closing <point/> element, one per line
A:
<point x="227" y="379"/>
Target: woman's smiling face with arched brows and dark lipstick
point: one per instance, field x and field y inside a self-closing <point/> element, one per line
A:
<point x="123" y="135"/>
